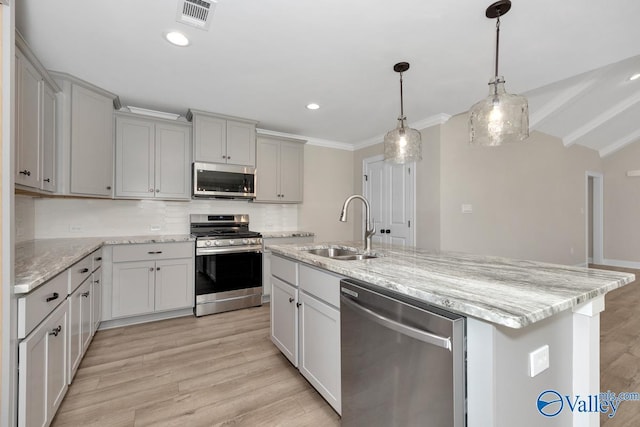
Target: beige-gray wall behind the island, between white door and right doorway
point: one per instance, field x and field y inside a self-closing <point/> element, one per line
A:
<point x="528" y="199"/>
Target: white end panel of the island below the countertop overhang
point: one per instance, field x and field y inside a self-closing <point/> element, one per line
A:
<point x="500" y="391"/>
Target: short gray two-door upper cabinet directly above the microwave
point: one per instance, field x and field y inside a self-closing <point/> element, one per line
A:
<point x="223" y="139"/>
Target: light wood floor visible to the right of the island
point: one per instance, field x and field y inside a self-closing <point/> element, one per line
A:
<point x="620" y="349"/>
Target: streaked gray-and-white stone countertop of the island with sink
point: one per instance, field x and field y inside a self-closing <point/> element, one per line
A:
<point x="508" y="292"/>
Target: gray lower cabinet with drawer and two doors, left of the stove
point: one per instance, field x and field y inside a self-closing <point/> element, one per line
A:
<point x="151" y="278"/>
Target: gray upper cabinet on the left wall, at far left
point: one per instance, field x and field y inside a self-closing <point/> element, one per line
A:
<point x="35" y="122"/>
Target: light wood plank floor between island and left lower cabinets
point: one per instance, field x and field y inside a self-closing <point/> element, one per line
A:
<point x="218" y="370"/>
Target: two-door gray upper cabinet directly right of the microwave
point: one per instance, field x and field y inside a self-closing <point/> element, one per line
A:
<point x="280" y="169"/>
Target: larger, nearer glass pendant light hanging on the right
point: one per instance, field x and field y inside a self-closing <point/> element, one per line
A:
<point x="501" y="117"/>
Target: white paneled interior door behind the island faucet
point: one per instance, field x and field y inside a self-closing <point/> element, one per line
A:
<point x="390" y="191"/>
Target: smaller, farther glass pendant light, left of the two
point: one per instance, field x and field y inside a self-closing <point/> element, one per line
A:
<point x="403" y="144"/>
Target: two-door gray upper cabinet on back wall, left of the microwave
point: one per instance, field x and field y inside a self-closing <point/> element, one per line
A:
<point x="153" y="158"/>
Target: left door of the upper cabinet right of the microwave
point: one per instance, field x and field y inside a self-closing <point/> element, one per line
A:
<point x="268" y="176"/>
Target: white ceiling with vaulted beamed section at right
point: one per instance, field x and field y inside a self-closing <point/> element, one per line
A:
<point x="266" y="59"/>
